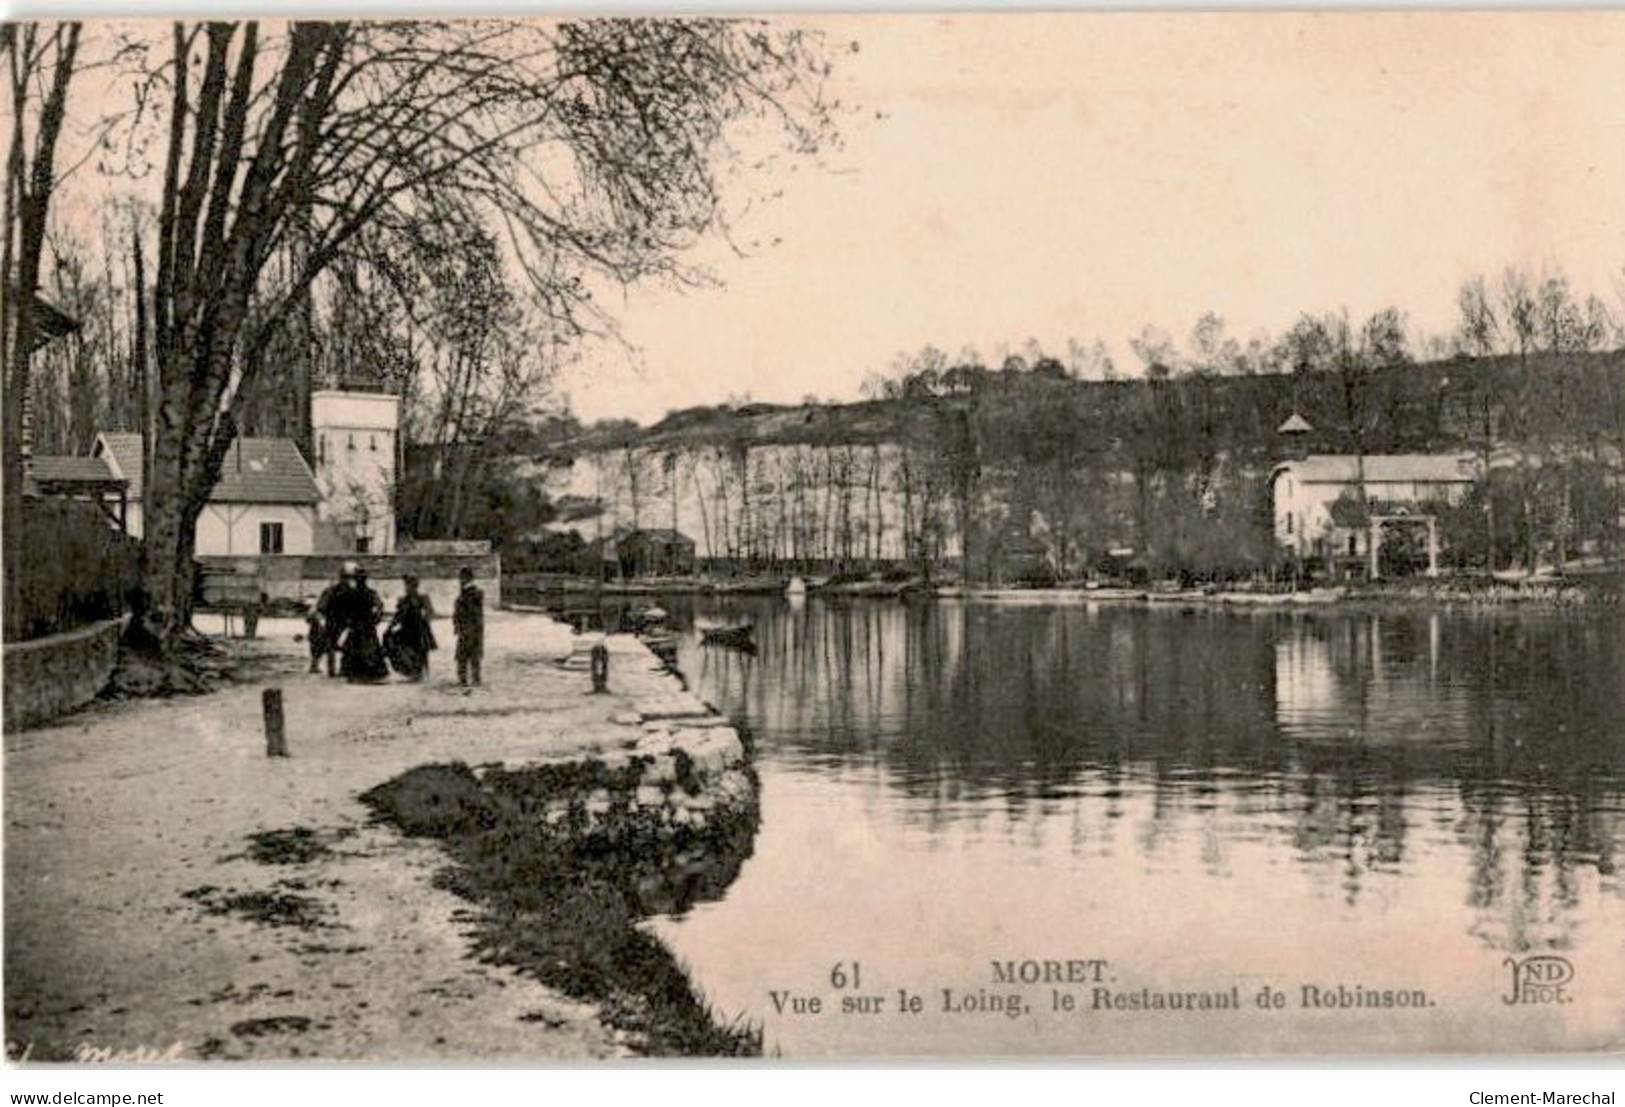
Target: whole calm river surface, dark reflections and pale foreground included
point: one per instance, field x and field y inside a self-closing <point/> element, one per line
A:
<point x="1203" y="799"/>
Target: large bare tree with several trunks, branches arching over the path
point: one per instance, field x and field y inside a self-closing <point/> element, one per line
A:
<point x="587" y="144"/>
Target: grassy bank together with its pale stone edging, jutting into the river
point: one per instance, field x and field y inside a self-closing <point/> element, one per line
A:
<point x="635" y="814"/>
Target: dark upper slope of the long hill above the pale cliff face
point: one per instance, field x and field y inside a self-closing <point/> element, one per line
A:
<point x="1408" y="409"/>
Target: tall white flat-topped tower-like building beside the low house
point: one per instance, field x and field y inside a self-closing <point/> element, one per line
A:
<point x="355" y="438"/>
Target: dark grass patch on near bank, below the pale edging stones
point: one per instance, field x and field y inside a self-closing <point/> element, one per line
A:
<point x="563" y="905"/>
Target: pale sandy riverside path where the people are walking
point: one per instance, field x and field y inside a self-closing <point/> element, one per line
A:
<point x="170" y="888"/>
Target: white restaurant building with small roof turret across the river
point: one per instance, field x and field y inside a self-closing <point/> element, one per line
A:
<point x="1307" y="495"/>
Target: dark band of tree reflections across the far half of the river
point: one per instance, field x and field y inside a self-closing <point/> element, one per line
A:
<point x="1343" y="734"/>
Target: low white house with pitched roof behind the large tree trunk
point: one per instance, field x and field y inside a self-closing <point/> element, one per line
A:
<point x="266" y="500"/>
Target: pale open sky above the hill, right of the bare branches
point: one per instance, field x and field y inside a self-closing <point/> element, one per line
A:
<point x="1078" y="176"/>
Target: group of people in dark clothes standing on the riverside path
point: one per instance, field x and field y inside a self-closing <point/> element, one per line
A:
<point x="344" y="628"/>
